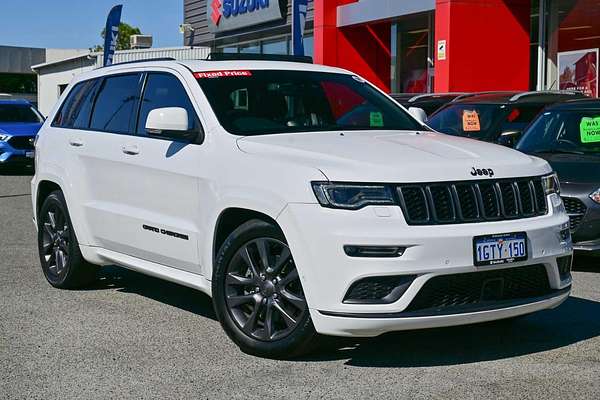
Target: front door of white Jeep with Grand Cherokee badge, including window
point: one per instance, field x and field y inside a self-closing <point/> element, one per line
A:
<point x="157" y="185"/>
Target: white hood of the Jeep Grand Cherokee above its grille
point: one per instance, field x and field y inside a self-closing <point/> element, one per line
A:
<point x="393" y="156"/>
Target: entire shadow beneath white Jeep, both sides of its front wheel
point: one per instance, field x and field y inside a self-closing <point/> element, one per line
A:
<point x="572" y="322"/>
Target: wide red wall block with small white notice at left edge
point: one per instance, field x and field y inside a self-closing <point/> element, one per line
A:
<point x="487" y="45"/>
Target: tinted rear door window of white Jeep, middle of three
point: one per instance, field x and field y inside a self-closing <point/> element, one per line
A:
<point x="115" y="107"/>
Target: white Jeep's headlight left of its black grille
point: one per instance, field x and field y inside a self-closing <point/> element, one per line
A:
<point x="352" y="196"/>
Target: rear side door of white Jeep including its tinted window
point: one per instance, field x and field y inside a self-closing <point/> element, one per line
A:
<point x="97" y="160"/>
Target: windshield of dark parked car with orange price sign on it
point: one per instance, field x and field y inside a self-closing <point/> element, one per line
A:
<point x="470" y="120"/>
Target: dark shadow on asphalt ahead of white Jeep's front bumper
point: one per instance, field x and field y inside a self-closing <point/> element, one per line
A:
<point x="574" y="321"/>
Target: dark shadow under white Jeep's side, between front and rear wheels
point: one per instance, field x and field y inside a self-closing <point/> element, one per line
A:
<point x="172" y="294"/>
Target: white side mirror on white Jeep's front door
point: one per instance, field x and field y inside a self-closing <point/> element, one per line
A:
<point x="170" y="123"/>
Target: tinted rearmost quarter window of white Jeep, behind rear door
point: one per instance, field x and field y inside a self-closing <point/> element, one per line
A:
<point x="69" y="112"/>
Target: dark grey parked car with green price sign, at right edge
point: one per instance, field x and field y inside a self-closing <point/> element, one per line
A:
<point x="567" y="135"/>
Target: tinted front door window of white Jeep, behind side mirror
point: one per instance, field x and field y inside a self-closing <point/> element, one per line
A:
<point x="165" y="90"/>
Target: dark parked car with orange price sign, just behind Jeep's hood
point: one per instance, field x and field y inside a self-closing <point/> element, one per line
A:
<point x="498" y="117"/>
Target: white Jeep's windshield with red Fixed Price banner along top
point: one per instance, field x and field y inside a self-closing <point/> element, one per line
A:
<point x="273" y="101"/>
